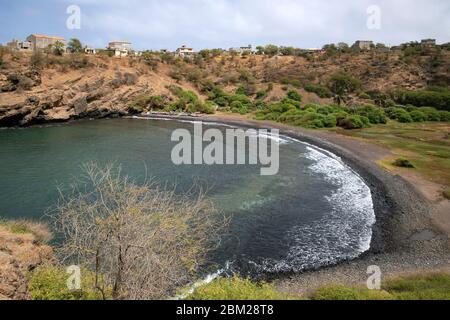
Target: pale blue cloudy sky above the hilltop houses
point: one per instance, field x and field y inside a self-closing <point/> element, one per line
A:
<point x="158" y="24"/>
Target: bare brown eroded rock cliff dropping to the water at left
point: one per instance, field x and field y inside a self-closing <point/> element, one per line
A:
<point x="101" y="87"/>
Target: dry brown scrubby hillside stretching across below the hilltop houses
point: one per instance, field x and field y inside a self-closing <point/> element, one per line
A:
<point x="43" y="88"/>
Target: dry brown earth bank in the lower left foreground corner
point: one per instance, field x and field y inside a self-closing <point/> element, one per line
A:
<point x="22" y="249"/>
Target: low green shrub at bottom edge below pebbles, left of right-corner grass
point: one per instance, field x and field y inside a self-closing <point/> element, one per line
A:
<point x="340" y="292"/>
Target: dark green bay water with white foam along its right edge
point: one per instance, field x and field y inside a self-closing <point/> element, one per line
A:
<point x="316" y="211"/>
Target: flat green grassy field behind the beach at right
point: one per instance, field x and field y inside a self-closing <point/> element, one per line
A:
<point x="426" y="145"/>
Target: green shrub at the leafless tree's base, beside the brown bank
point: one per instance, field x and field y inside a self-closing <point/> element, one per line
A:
<point x="50" y="283"/>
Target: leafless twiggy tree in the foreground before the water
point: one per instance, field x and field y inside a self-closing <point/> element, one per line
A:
<point x="141" y="241"/>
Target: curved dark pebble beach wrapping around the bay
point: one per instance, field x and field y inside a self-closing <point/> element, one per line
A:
<point x="402" y="212"/>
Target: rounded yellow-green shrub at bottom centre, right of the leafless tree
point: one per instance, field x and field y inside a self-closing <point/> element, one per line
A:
<point x="236" y="289"/>
